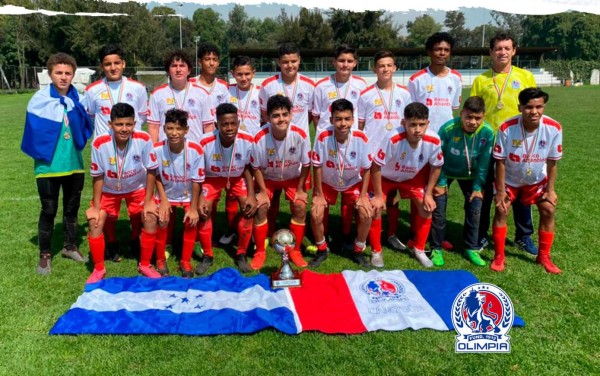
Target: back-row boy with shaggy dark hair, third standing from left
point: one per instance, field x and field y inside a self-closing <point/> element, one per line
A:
<point x="180" y="94"/>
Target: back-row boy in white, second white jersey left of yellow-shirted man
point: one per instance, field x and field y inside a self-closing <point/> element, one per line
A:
<point x="380" y="111"/>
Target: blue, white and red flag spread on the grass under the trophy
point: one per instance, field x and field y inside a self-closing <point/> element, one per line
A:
<point x="227" y="302"/>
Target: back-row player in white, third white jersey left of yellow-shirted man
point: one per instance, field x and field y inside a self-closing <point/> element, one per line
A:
<point x="341" y="84"/>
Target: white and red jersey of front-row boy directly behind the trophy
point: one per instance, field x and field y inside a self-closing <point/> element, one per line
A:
<point x="281" y="160"/>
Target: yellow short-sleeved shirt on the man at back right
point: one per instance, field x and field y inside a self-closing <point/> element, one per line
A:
<point x="483" y="86"/>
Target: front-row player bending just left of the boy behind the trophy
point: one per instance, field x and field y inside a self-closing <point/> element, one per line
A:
<point x="227" y="166"/>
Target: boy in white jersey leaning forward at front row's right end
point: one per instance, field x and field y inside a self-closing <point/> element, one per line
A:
<point x="527" y="149"/>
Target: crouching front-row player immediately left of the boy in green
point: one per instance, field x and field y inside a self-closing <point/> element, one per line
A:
<point x="409" y="160"/>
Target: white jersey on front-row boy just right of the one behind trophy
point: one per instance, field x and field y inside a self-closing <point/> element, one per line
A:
<point x="342" y="164"/>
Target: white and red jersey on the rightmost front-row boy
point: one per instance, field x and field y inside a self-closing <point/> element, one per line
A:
<point x="525" y="153"/>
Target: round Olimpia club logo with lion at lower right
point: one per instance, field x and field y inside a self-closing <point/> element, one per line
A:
<point x="482" y="315"/>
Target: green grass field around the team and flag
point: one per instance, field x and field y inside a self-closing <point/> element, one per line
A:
<point x="561" y="312"/>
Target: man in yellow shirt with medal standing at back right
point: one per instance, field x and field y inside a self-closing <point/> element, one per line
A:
<point x="499" y="87"/>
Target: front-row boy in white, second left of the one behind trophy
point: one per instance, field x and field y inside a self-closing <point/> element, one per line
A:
<point x="179" y="183"/>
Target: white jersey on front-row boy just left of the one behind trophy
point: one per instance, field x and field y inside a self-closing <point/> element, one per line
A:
<point x="226" y="162"/>
